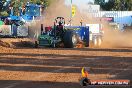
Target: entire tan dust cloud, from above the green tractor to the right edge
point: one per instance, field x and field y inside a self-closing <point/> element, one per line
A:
<point x="111" y="38"/>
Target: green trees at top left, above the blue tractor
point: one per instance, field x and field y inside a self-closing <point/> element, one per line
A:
<point x="4" y="10"/>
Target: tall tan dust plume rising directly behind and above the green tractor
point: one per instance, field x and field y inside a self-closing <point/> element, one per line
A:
<point x="59" y="9"/>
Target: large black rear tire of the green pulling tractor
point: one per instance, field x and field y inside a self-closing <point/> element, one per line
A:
<point x="70" y="39"/>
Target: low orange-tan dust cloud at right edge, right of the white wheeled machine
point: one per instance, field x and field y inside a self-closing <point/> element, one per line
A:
<point x="116" y="39"/>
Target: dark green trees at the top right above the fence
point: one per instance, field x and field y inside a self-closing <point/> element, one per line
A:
<point x="115" y="5"/>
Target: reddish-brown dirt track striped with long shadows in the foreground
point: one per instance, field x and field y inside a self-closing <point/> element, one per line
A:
<point x="60" y="68"/>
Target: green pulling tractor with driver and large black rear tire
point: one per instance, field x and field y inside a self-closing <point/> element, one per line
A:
<point x="57" y="36"/>
